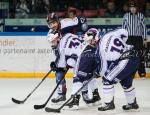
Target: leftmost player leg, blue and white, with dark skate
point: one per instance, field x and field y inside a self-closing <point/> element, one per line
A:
<point x="61" y="90"/>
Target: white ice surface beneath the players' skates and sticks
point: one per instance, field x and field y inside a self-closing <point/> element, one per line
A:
<point x="20" y="88"/>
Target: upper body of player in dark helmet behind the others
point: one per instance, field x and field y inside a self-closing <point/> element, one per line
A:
<point x="67" y="25"/>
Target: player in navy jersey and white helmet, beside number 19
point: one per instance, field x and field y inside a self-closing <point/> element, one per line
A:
<point x="85" y="68"/>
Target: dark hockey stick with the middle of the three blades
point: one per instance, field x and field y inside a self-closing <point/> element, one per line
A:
<point x="43" y="105"/>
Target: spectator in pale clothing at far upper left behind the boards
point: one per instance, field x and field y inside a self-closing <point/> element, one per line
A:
<point x="22" y="9"/>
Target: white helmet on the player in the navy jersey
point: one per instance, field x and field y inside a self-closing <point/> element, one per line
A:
<point x="92" y="33"/>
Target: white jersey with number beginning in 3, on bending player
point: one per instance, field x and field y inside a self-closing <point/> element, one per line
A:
<point x="70" y="47"/>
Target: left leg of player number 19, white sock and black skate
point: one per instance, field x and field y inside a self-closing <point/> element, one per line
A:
<point x="113" y="75"/>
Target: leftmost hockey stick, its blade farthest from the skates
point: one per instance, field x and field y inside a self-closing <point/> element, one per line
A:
<point x="21" y="102"/>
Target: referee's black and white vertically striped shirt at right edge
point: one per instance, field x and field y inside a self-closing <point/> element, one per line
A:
<point x="135" y="24"/>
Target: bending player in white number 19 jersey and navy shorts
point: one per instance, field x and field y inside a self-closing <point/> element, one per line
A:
<point x="111" y="47"/>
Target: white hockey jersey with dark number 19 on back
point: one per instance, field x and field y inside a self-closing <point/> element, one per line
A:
<point x="111" y="47"/>
